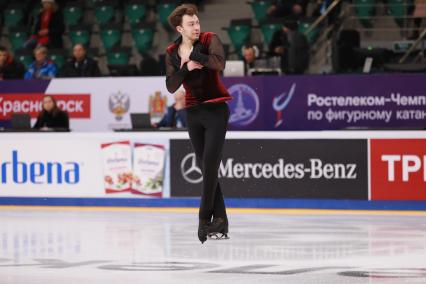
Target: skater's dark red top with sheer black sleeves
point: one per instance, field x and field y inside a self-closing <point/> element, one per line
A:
<point x="201" y="85"/>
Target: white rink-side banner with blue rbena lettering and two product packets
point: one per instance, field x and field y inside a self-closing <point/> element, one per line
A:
<point x="83" y="165"/>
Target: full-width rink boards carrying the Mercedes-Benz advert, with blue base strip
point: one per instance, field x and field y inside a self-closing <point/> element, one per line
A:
<point x="324" y="170"/>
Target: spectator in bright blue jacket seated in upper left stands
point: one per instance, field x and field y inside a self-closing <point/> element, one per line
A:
<point x="42" y="67"/>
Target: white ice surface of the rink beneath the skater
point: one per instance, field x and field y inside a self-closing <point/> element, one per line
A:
<point x="73" y="246"/>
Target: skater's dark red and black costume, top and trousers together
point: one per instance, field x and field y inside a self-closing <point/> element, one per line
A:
<point x="207" y="112"/>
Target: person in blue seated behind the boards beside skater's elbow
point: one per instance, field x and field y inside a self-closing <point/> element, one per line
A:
<point x="176" y="113"/>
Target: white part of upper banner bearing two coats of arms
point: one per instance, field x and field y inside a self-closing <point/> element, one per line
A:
<point x="113" y="99"/>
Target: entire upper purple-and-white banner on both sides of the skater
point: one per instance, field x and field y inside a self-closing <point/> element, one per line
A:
<point x="310" y="102"/>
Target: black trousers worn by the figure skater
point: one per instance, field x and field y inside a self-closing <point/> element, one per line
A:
<point x="207" y="125"/>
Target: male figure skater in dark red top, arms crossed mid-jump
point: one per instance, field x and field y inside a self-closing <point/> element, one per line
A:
<point x="195" y="60"/>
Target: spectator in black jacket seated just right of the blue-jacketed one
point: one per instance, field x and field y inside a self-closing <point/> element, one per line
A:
<point x="80" y="65"/>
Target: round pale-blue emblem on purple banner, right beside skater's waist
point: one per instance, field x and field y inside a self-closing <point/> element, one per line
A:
<point x="245" y="105"/>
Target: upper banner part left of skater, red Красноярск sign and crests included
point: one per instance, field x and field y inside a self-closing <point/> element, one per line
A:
<point x="94" y="104"/>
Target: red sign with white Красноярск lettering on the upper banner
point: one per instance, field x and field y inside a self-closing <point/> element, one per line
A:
<point x="77" y="105"/>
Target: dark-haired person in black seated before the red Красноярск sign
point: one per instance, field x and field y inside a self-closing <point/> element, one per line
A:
<point x="51" y="116"/>
